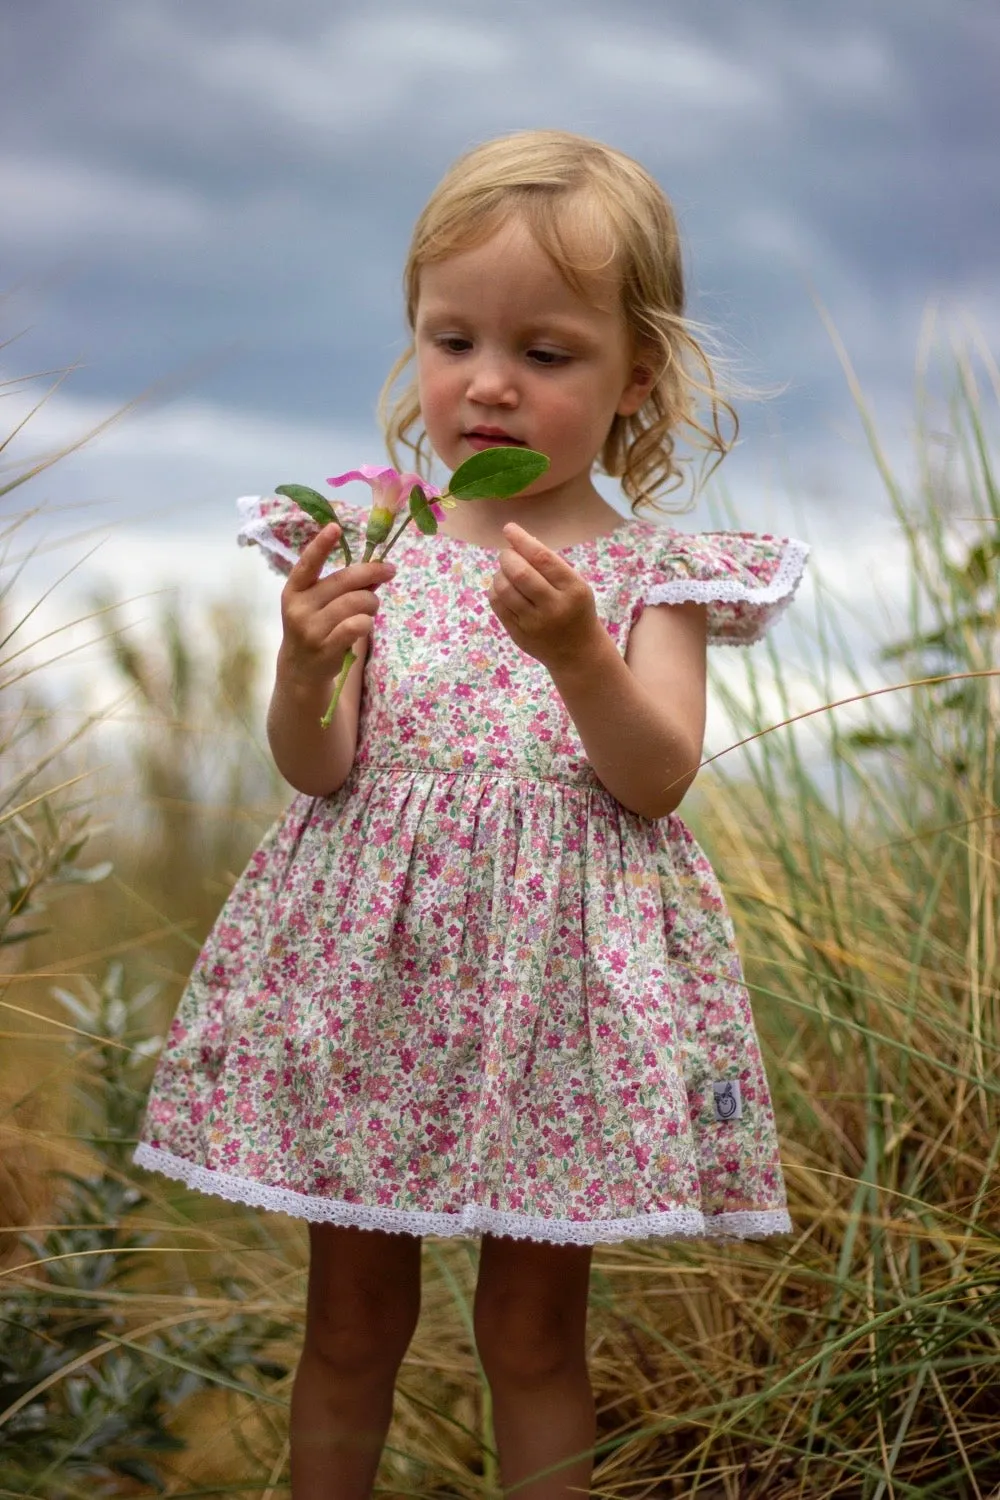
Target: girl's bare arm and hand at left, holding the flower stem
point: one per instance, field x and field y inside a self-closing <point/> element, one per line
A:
<point x="322" y="617"/>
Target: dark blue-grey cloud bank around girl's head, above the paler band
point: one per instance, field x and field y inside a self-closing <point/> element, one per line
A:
<point x="241" y="175"/>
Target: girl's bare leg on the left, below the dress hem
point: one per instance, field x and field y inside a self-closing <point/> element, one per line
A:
<point x="361" y="1316"/>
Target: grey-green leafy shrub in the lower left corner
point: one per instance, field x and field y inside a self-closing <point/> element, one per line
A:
<point x="83" y="1406"/>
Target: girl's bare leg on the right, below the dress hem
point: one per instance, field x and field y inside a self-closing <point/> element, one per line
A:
<point x="530" y="1316"/>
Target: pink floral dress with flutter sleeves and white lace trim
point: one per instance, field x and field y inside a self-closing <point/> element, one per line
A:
<point x="472" y="992"/>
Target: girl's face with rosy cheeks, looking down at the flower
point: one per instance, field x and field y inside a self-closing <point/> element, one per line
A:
<point x="503" y="343"/>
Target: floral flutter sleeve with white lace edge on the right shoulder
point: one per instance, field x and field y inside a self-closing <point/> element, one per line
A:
<point x="746" y="578"/>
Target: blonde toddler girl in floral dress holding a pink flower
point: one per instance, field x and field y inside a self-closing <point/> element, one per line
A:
<point x="479" y="979"/>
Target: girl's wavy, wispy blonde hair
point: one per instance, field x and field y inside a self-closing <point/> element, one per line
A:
<point x="536" y="176"/>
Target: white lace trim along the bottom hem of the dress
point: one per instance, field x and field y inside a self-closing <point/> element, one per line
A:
<point x="473" y="1222"/>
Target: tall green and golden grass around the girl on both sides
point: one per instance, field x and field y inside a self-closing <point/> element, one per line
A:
<point x="857" y="1358"/>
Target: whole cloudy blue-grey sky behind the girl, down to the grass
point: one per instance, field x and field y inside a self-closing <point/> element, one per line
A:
<point x="217" y="200"/>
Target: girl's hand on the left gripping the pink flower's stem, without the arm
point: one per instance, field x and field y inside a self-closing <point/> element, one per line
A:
<point x="322" y="617"/>
